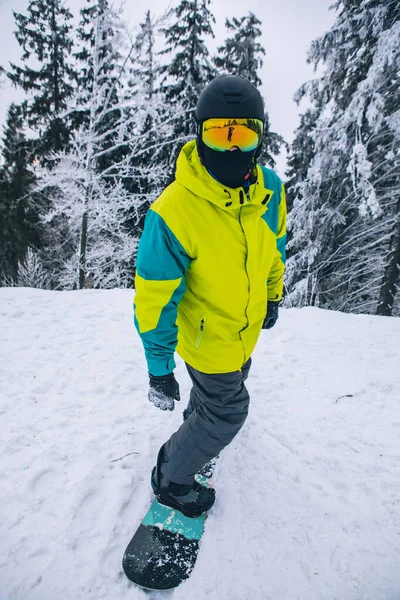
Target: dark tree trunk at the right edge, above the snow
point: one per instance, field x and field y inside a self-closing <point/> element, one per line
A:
<point x="391" y="278"/>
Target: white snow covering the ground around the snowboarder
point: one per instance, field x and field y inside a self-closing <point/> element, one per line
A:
<point x="308" y="493"/>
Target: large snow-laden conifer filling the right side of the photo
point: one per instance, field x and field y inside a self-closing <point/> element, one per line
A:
<point x="345" y="215"/>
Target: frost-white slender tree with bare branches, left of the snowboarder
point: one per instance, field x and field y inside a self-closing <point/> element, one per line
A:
<point x="90" y="185"/>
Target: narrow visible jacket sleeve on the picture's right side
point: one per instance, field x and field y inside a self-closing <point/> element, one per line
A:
<point x="275" y="277"/>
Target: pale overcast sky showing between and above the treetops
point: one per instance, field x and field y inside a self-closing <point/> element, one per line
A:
<point x="288" y="28"/>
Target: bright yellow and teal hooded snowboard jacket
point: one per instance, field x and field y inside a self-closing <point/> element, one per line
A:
<point x="209" y="259"/>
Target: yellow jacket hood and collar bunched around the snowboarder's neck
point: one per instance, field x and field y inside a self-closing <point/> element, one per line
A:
<point x="191" y="174"/>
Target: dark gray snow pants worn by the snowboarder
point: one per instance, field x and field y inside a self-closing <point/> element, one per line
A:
<point x="217" y="409"/>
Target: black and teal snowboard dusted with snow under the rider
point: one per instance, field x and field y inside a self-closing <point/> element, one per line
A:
<point x="164" y="549"/>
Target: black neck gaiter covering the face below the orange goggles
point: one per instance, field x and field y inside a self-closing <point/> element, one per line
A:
<point x="231" y="168"/>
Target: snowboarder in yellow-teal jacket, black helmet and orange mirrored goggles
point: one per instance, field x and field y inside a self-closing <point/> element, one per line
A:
<point x="209" y="277"/>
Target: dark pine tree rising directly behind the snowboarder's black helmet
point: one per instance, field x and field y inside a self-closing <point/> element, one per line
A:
<point x="242" y="54"/>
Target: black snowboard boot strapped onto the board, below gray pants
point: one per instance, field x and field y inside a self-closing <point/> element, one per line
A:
<point x="191" y="499"/>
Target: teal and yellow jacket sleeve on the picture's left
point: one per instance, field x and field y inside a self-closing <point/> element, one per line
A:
<point x="160" y="284"/>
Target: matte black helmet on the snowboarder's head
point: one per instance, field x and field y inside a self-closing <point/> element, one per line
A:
<point x="230" y="96"/>
